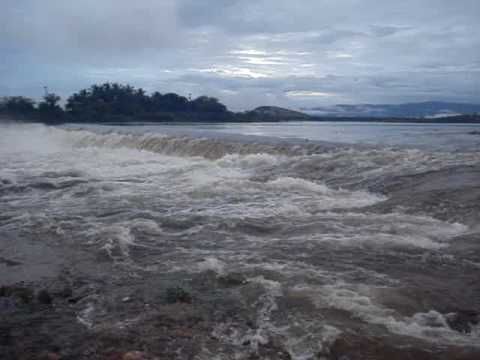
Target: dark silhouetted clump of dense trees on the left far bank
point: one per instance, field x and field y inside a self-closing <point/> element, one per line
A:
<point x="115" y="102"/>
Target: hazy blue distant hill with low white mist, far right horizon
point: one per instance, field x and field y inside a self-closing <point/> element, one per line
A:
<point x="432" y="109"/>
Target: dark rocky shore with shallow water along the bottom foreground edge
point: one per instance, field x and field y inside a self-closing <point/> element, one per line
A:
<point x="74" y="318"/>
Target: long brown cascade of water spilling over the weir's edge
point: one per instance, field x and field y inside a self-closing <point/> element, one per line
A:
<point x="326" y="157"/>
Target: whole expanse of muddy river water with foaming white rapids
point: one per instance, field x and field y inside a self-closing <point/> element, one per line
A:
<point x="289" y="247"/>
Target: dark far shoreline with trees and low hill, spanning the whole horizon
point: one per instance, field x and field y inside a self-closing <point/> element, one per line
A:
<point x="118" y="103"/>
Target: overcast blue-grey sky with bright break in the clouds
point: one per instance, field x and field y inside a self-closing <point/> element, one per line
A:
<point x="247" y="53"/>
